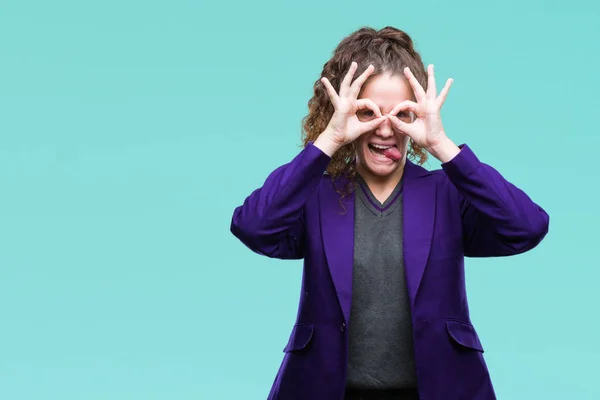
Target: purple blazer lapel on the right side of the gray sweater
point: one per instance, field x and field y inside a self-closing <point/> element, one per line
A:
<point x="419" y="196"/>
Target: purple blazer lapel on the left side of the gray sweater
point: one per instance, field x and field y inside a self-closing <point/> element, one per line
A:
<point x="337" y="231"/>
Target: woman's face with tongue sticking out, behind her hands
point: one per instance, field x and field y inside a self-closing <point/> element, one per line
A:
<point x="386" y="92"/>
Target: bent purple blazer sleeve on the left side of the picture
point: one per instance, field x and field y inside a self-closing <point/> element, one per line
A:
<point x="270" y="222"/>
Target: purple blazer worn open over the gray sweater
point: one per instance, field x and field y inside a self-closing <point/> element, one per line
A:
<point x="466" y="209"/>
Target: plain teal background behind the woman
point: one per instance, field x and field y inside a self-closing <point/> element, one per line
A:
<point x="130" y="130"/>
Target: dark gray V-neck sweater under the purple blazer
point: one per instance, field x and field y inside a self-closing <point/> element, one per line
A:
<point x="380" y="329"/>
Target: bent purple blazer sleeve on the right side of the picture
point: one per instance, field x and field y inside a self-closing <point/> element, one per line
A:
<point x="498" y="218"/>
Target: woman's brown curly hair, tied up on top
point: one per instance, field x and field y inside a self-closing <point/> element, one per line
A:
<point x="389" y="50"/>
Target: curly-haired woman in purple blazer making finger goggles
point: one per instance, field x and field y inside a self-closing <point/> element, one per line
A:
<point x="383" y="311"/>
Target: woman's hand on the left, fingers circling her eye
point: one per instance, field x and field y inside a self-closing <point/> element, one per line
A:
<point x="344" y="126"/>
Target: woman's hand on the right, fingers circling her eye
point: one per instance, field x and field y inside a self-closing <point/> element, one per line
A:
<point x="426" y="130"/>
